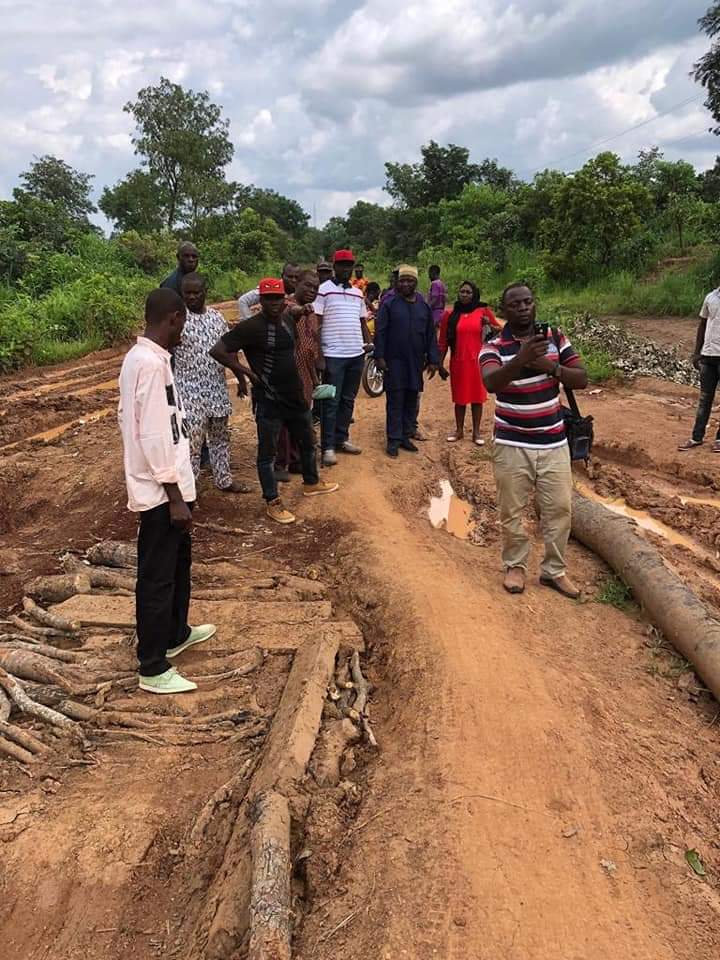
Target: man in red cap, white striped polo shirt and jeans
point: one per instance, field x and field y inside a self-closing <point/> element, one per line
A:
<point x="343" y="336"/>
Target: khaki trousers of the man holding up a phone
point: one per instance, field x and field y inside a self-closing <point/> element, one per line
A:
<point x="518" y="473"/>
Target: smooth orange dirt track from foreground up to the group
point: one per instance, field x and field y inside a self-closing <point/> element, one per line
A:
<point x="513" y="806"/>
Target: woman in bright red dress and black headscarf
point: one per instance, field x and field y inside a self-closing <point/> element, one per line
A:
<point x="462" y="331"/>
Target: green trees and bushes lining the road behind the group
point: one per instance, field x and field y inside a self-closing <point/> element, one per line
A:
<point x="609" y="238"/>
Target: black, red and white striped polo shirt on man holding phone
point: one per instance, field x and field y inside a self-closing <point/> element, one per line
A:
<point x="528" y="412"/>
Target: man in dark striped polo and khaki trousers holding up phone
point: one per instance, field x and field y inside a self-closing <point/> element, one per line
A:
<point x="524" y="369"/>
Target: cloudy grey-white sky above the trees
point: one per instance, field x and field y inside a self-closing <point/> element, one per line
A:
<point x="320" y="93"/>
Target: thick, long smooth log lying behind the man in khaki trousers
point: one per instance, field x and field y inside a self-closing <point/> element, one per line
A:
<point x="667" y="601"/>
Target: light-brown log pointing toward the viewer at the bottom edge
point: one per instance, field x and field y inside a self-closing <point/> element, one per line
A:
<point x="270" y="895"/>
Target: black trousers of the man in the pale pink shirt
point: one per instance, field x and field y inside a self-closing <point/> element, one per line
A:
<point x="162" y="594"/>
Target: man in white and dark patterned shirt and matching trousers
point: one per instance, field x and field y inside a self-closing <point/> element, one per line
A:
<point x="201" y="382"/>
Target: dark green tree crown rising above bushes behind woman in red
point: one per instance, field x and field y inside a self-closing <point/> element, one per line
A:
<point x="441" y="175"/>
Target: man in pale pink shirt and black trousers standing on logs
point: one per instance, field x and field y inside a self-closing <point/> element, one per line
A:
<point x="161" y="489"/>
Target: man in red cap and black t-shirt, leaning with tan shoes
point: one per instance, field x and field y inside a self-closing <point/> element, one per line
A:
<point x="268" y="343"/>
